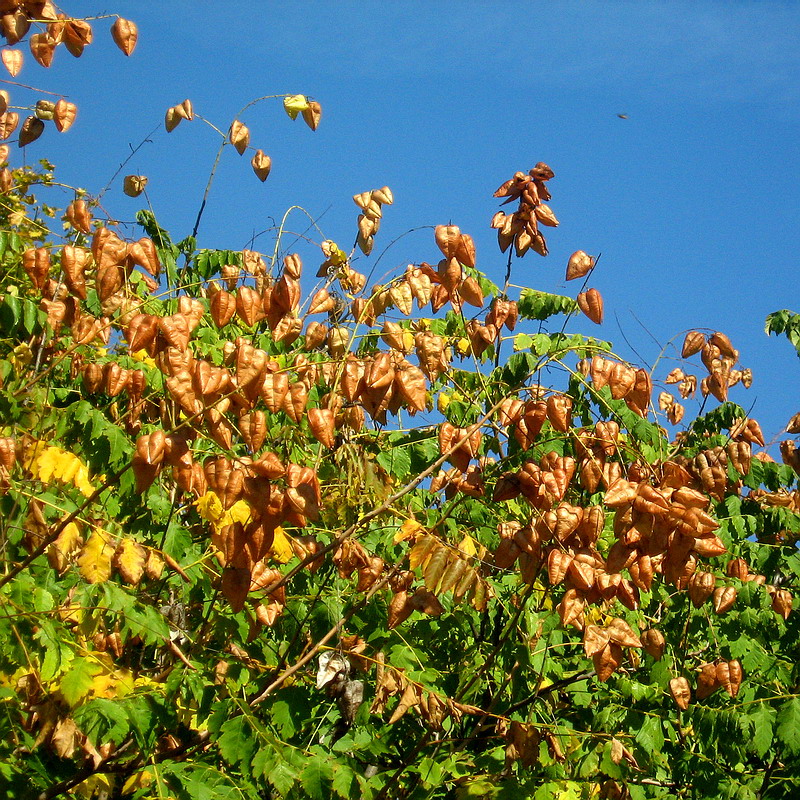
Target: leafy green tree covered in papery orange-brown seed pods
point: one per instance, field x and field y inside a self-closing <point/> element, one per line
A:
<point x="260" y="546"/>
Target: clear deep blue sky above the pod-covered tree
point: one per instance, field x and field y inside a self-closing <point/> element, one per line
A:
<point x="692" y="200"/>
